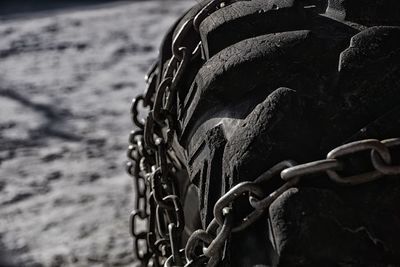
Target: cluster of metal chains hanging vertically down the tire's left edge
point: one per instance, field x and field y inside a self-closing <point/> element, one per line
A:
<point x="153" y="166"/>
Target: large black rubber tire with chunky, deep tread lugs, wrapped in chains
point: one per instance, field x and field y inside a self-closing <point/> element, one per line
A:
<point x="291" y="80"/>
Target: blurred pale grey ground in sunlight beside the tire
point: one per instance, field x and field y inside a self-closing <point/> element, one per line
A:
<point x="66" y="82"/>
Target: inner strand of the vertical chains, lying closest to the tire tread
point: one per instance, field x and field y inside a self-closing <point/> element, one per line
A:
<point x="162" y="115"/>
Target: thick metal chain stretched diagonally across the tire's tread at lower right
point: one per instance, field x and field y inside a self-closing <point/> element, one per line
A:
<point x="291" y="173"/>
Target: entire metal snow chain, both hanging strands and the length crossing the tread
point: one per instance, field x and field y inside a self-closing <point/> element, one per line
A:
<point x="153" y="165"/>
